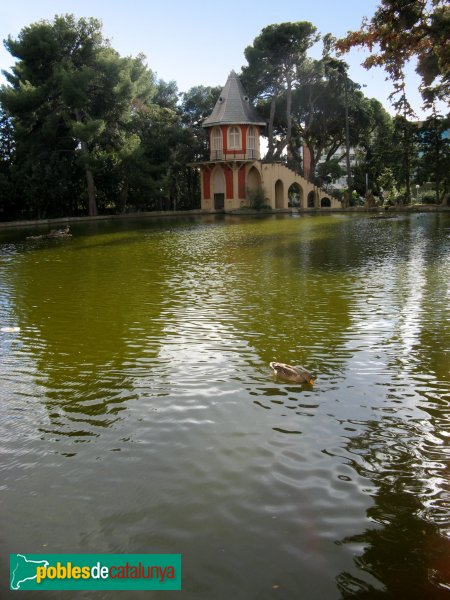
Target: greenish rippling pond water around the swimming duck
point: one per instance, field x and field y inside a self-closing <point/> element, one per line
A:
<point x="139" y="414"/>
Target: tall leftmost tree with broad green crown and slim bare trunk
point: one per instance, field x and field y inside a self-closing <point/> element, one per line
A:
<point x="69" y="94"/>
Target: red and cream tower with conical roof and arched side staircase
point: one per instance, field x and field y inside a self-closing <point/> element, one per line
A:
<point x="235" y="174"/>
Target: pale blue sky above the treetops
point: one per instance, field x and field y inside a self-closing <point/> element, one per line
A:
<point x="187" y="41"/>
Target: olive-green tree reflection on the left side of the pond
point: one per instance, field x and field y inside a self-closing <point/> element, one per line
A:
<point x="90" y="310"/>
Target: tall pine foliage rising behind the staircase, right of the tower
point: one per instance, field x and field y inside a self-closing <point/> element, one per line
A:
<point x="307" y="105"/>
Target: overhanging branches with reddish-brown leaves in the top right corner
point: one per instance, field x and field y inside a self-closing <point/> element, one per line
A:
<point x="404" y="29"/>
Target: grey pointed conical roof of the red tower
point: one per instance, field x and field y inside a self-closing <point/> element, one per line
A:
<point x="233" y="106"/>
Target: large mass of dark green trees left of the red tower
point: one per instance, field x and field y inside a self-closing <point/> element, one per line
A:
<point x="82" y="112"/>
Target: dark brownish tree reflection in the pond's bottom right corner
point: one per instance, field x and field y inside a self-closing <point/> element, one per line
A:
<point x="405" y="551"/>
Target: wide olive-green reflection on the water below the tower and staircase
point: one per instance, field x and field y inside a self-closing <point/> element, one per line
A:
<point x="291" y="283"/>
